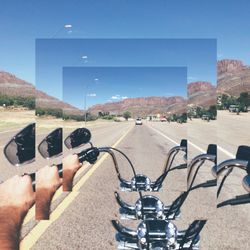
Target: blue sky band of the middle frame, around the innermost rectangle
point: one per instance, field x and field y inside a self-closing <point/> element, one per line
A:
<point x="199" y="55"/>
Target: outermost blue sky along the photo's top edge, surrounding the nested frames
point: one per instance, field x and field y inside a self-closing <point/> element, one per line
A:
<point x="24" y="21"/>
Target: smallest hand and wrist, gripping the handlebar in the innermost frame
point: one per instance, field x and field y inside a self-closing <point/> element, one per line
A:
<point x="71" y="165"/>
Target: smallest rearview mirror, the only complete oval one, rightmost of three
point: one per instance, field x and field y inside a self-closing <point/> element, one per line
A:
<point x="78" y="138"/>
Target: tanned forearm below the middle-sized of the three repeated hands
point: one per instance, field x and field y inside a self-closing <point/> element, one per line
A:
<point x="43" y="201"/>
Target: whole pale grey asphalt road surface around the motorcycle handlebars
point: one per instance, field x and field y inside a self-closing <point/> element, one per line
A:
<point x="85" y="223"/>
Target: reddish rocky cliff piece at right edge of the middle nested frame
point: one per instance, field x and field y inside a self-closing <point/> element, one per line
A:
<point x="201" y="94"/>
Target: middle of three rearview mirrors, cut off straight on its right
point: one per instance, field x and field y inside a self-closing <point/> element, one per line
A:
<point x="51" y="145"/>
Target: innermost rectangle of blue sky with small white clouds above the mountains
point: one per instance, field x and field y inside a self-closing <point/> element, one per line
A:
<point x="111" y="84"/>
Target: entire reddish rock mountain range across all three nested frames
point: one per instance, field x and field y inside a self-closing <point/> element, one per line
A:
<point x="233" y="77"/>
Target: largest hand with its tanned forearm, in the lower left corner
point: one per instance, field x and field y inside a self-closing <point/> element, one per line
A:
<point x="16" y="197"/>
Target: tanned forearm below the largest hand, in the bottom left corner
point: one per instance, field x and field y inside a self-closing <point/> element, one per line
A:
<point x="11" y="219"/>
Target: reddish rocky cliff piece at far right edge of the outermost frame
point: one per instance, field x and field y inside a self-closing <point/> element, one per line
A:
<point x="233" y="77"/>
